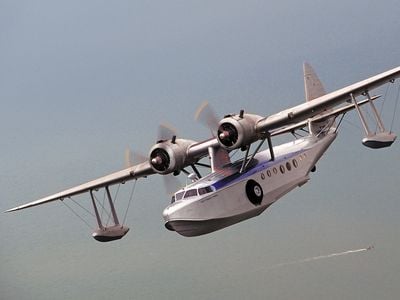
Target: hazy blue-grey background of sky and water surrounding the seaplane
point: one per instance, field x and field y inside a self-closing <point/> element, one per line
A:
<point x="82" y="80"/>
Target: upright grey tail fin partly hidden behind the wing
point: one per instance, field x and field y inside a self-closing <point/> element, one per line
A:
<point x="314" y="89"/>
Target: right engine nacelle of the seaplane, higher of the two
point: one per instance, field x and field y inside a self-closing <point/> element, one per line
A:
<point x="237" y="131"/>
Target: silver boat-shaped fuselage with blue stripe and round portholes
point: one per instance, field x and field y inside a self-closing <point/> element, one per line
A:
<point x="227" y="202"/>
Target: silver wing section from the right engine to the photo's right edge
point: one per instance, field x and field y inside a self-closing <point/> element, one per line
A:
<point x="310" y="109"/>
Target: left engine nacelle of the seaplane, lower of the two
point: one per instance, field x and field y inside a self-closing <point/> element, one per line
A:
<point x="169" y="156"/>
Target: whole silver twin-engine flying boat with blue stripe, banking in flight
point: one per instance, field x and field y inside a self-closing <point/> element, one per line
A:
<point x="235" y="190"/>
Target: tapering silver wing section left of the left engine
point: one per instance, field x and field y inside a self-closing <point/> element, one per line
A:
<point x="134" y="172"/>
